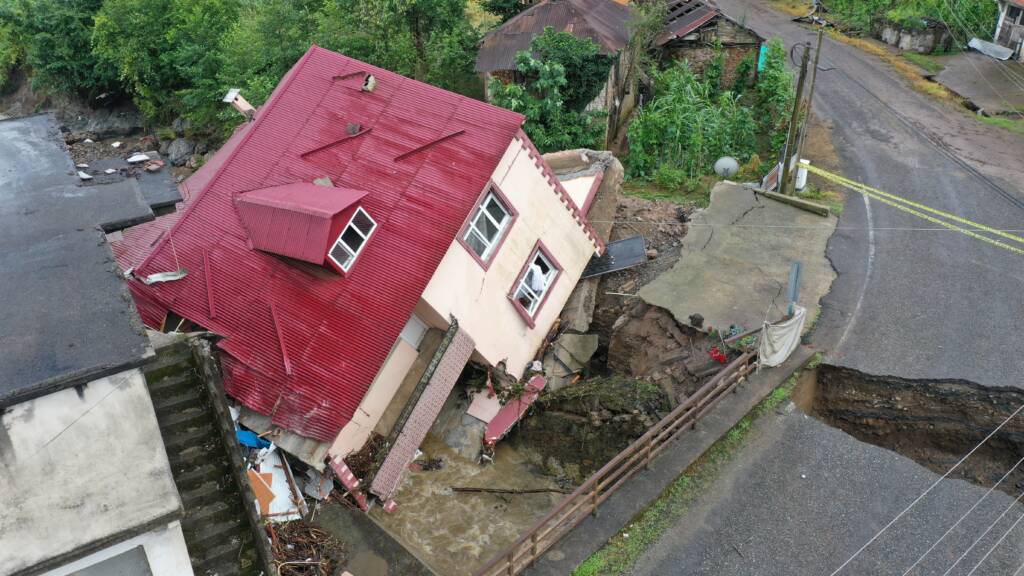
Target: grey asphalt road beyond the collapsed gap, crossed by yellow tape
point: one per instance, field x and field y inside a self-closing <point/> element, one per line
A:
<point x="917" y="304"/>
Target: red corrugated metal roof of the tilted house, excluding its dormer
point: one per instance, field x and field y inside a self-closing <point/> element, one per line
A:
<point x="303" y="344"/>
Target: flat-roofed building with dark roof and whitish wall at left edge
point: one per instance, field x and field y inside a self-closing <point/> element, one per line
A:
<point x="84" y="479"/>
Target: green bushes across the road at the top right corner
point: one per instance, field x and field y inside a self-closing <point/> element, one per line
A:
<point x="966" y="18"/>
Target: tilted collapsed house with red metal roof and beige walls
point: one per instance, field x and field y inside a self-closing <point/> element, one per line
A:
<point x="337" y="236"/>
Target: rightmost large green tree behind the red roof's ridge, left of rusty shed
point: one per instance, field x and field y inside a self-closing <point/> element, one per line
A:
<point x="429" y="40"/>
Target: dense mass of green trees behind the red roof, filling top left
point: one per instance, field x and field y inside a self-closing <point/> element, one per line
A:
<point x="177" y="58"/>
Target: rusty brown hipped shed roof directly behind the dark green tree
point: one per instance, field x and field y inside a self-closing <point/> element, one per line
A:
<point x="602" y="21"/>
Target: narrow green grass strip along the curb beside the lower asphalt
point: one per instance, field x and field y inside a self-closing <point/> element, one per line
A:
<point x="621" y="554"/>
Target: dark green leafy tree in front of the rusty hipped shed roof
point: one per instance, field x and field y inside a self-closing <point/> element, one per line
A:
<point x="586" y="68"/>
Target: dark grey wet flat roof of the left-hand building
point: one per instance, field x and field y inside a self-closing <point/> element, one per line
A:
<point x="67" y="314"/>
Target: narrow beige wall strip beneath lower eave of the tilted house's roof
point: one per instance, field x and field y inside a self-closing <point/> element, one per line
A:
<point x="357" y="432"/>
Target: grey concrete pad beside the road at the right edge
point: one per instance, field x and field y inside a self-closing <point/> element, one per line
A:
<point x="993" y="86"/>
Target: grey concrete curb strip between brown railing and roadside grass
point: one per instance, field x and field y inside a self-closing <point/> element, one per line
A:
<point x="648" y="486"/>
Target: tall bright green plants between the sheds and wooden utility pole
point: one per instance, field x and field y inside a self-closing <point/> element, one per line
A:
<point x="692" y="122"/>
